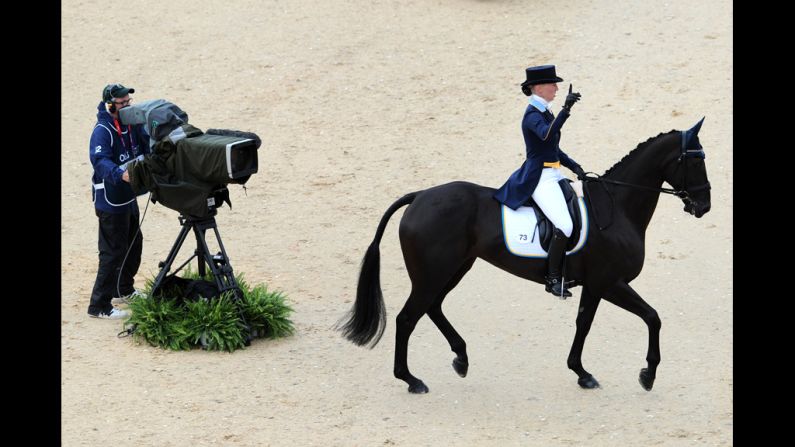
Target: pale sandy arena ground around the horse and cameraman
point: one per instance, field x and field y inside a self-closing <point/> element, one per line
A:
<point x="357" y="103"/>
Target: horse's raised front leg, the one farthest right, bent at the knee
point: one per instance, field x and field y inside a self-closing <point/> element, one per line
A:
<point x="623" y="296"/>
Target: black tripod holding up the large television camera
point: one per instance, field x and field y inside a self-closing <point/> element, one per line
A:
<point x="218" y="263"/>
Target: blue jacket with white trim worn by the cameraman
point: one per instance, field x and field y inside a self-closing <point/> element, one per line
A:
<point x="108" y="151"/>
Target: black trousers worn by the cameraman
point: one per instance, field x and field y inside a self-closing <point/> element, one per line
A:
<point x="116" y="233"/>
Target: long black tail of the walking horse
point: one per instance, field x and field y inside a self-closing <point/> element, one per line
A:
<point x="367" y="319"/>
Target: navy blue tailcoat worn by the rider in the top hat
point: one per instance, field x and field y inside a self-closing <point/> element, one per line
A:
<point x="541" y="138"/>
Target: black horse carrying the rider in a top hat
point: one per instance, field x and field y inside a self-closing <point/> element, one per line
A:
<point x="448" y="226"/>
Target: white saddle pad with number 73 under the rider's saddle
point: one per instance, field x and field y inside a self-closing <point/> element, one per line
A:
<point x="522" y="237"/>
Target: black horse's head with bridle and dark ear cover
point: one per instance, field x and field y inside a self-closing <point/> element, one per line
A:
<point x="688" y="173"/>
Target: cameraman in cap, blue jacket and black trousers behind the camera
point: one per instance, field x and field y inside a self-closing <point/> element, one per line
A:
<point x="112" y="146"/>
